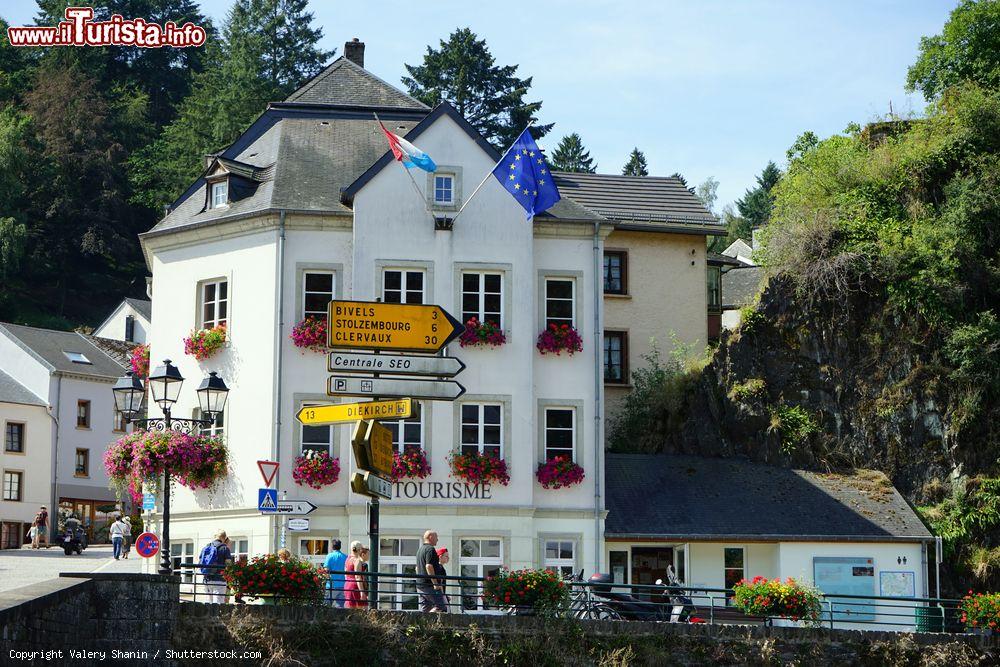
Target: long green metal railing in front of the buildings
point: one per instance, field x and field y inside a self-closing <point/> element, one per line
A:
<point x="409" y="592"/>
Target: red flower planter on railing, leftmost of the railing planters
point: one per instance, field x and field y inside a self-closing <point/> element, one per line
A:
<point x="295" y="581"/>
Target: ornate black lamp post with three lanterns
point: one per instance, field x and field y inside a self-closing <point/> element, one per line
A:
<point x="165" y="385"/>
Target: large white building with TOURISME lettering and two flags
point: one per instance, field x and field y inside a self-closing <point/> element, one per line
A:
<point x="307" y="206"/>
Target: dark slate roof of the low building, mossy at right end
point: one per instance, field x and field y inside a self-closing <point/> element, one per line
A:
<point x="687" y="497"/>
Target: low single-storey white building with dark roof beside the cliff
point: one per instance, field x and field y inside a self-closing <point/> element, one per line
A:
<point x="717" y="521"/>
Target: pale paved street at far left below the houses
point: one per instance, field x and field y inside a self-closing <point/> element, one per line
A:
<point x="21" y="567"/>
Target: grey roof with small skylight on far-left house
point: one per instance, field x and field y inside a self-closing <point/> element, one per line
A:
<point x="50" y="346"/>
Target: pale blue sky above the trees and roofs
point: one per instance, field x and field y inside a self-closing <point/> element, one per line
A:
<point x="703" y="87"/>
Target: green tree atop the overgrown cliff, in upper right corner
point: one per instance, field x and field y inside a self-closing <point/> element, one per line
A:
<point x="968" y="49"/>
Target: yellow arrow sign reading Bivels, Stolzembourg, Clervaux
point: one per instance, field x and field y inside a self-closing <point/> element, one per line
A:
<point x="404" y="327"/>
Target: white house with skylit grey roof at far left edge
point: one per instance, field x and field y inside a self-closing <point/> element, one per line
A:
<point x="65" y="377"/>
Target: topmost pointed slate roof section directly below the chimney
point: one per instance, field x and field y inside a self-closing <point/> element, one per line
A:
<point x="344" y="82"/>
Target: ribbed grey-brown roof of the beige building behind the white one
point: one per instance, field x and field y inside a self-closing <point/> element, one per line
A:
<point x="639" y="199"/>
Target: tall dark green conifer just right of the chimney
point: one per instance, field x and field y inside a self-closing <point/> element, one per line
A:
<point x="463" y="72"/>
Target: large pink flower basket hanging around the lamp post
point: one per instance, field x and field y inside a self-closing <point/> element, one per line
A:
<point x="141" y="457"/>
